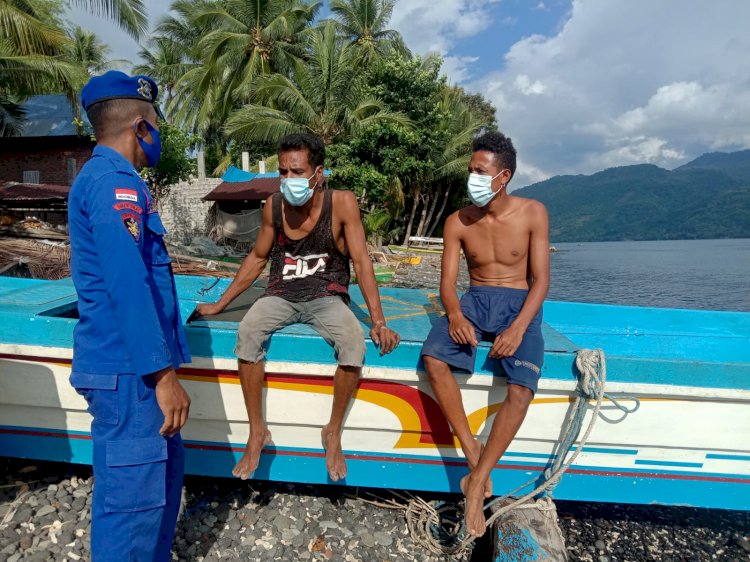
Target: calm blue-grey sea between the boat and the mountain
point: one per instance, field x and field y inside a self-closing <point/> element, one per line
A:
<point x="700" y="274"/>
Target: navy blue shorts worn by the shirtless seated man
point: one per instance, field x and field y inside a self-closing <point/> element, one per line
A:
<point x="491" y="310"/>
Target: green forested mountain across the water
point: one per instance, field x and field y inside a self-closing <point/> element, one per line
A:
<point x="645" y="202"/>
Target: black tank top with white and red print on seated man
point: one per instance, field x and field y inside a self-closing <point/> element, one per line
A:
<point x="311" y="267"/>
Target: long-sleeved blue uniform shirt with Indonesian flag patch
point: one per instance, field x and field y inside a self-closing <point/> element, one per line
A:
<point x="127" y="301"/>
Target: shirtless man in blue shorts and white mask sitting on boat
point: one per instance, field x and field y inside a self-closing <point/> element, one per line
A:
<point x="506" y="243"/>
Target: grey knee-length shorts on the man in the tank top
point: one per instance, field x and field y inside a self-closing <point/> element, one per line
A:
<point x="331" y="317"/>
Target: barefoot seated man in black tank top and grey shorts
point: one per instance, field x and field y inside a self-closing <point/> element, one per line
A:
<point x="309" y="235"/>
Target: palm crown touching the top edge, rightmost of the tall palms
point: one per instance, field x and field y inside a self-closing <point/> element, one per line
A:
<point x="363" y="23"/>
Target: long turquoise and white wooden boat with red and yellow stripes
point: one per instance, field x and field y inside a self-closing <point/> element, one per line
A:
<point x="687" y="444"/>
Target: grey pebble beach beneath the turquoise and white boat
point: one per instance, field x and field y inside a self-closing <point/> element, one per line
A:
<point x="45" y="515"/>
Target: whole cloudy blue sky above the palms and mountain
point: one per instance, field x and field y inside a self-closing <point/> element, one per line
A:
<point x="581" y="85"/>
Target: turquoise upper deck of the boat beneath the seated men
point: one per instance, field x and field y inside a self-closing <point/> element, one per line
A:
<point x="648" y="345"/>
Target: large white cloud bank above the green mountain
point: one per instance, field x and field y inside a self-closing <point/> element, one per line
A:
<point x="624" y="82"/>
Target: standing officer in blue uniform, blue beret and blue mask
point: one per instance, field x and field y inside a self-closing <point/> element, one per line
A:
<point x="130" y="338"/>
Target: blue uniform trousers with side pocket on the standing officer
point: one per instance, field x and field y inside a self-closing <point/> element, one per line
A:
<point x="138" y="473"/>
